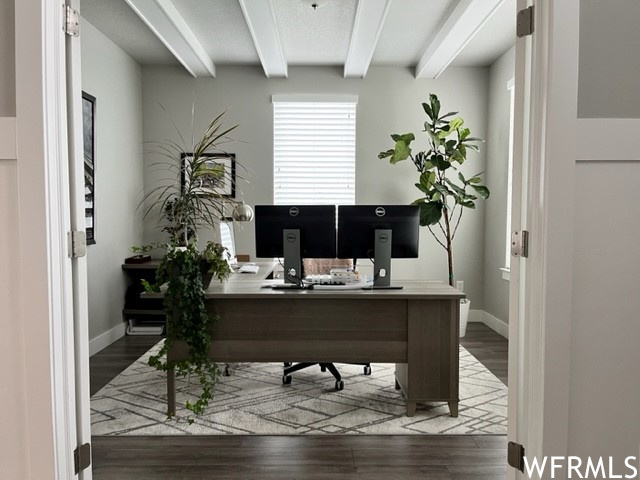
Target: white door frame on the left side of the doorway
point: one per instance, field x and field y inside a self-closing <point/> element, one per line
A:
<point x="46" y="293"/>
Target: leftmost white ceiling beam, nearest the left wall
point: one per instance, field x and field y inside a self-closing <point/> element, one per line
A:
<point x="162" y="17"/>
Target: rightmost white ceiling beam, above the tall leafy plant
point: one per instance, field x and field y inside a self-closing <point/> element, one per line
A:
<point x="464" y="22"/>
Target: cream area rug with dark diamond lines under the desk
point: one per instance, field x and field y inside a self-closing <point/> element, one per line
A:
<point x="253" y="400"/>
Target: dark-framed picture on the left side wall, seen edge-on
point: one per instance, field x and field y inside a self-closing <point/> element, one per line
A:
<point x="89" y="144"/>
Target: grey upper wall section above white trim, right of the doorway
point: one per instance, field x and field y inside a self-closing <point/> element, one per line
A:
<point x="608" y="86"/>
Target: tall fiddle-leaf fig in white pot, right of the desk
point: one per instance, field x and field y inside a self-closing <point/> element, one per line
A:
<point x="445" y="194"/>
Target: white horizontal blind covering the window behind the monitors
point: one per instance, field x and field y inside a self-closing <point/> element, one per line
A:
<point x="314" y="152"/>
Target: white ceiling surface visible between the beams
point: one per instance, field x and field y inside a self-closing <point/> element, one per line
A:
<point x="307" y="36"/>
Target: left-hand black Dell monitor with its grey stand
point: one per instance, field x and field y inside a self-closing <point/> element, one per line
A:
<point x="295" y="232"/>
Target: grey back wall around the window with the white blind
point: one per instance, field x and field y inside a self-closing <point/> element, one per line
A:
<point x="389" y="102"/>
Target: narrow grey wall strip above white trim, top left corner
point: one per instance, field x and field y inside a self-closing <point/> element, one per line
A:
<point x="7" y="60"/>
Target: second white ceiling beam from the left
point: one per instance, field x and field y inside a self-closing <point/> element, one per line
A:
<point x="261" y="20"/>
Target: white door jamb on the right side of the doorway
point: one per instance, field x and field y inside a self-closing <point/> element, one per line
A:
<point x="546" y="338"/>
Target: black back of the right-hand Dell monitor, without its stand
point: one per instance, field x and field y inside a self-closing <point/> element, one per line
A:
<point x="357" y="225"/>
